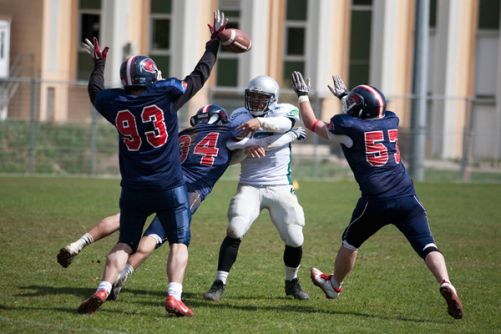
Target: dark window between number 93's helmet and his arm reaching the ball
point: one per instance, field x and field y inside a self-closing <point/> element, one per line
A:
<point x="160" y="21"/>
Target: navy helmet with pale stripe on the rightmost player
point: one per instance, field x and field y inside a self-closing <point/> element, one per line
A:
<point x="365" y="101"/>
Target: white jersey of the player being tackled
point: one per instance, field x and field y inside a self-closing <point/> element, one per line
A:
<point x="275" y="168"/>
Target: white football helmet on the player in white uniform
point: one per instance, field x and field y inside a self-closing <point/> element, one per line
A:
<point x="261" y="93"/>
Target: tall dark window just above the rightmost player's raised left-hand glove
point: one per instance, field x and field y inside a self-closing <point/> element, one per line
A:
<point x="295" y="38"/>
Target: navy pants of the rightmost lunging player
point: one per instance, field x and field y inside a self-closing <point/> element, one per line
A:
<point x="406" y="213"/>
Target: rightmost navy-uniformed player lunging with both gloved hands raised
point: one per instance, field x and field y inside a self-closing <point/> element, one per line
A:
<point x="368" y="134"/>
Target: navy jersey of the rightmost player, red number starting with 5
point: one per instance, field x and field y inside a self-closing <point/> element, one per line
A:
<point x="374" y="157"/>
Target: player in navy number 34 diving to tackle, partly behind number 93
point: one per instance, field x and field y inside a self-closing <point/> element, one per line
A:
<point x="207" y="149"/>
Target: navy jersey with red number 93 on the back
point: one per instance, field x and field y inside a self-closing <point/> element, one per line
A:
<point x="147" y="127"/>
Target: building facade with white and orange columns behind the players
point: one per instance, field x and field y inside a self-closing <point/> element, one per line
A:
<point x="365" y="41"/>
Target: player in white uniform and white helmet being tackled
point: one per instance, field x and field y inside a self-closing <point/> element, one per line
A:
<point x="264" y="183"/>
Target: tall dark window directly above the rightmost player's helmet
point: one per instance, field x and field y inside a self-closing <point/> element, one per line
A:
<point x="360" y="42"/>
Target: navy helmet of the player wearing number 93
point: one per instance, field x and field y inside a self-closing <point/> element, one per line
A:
<point x="138" y="71"/>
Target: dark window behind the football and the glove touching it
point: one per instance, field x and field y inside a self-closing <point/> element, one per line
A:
<point x="227" y="68"/>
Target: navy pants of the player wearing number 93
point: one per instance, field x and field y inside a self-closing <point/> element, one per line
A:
<point x="171" y="206"/>
